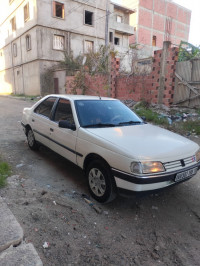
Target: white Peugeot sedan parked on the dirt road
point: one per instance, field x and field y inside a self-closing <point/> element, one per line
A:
<point x="118" y="151"/>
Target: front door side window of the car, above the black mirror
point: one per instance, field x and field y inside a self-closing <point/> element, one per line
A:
<point x="64" y="111"/>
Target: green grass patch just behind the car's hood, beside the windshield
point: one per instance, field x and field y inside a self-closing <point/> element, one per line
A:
<point x="151" y="116"/>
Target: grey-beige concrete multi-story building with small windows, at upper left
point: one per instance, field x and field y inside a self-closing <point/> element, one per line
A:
<point x="35" y="33"/>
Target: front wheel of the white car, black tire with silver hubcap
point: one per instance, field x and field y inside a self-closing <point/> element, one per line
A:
<point x="101" y="183"/>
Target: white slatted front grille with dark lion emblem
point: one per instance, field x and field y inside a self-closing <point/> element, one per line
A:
<point x="179" y="164"/>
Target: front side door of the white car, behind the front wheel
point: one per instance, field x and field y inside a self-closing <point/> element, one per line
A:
<point x="63" y="140"/>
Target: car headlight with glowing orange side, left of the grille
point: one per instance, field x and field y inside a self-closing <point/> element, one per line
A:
<point x="146" y="167"/>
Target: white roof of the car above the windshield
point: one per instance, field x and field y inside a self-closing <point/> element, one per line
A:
<point x="80" y="97"/>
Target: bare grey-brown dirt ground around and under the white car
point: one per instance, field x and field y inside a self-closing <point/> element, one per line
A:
<point x="46" y="195"/>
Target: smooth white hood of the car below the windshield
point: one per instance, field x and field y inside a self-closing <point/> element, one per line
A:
<point x="146" y="142"/>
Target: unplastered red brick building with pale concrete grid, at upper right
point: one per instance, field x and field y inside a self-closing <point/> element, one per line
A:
<point x="156" y="21"/>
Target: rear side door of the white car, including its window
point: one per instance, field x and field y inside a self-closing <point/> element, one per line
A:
<point x="40" y="120"/>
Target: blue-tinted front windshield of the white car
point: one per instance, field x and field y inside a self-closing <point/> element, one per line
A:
<point x="105" y="113"/>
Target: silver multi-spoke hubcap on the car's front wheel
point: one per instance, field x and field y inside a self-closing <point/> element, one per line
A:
<point x="97" y="182"/>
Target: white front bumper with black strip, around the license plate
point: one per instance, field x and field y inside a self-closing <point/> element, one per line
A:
<point x="151" y="182"/>
